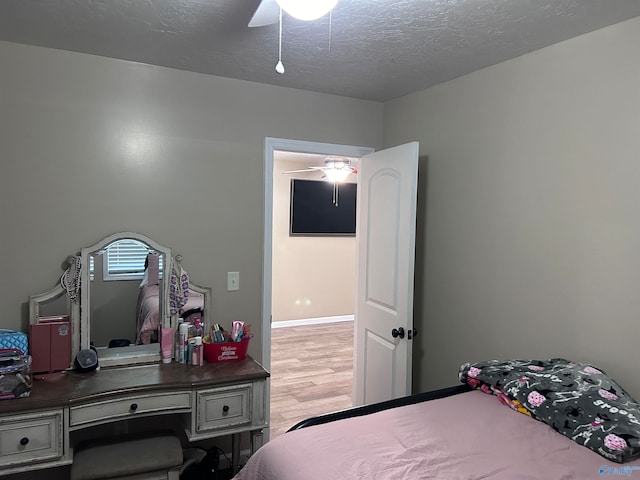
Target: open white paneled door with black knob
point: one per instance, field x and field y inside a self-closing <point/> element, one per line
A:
<point x="387" y="189"/>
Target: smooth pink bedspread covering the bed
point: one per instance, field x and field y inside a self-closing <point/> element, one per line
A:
<point x="469" y="436"/>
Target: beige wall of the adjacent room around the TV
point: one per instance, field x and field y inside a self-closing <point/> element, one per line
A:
<point x="313" y="277"/>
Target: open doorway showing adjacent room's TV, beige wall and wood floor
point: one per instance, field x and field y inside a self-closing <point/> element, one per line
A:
<point x="313" y="293"/>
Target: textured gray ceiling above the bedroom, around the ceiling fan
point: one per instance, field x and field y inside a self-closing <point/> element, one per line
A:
<point x="378" y="49"/>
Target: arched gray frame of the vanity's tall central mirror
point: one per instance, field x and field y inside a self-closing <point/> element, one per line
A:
<point x="133" y="355"/>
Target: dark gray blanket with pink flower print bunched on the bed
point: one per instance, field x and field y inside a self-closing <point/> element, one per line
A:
<point x="577" y="400"/>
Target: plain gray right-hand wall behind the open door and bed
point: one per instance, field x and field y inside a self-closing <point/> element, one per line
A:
<point x="529" y="225"/>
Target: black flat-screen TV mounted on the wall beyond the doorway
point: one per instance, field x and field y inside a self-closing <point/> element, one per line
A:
<point x="313" y="211"/>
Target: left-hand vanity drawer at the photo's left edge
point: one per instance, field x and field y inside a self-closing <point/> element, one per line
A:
<point x="31" y="438"/>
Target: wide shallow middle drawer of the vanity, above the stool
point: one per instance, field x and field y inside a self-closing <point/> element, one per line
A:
<point x="128" y="407"/>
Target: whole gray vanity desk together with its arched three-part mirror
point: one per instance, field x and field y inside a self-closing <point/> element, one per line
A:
<point x="127" y="289"/>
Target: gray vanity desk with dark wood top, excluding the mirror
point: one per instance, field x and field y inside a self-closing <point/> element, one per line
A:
<point x="216" y="399"/>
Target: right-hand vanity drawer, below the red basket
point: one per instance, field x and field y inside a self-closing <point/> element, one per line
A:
<point x="225" y="407"/>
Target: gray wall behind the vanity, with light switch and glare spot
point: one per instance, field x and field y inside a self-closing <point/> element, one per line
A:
<point x="91" y="146"/>
